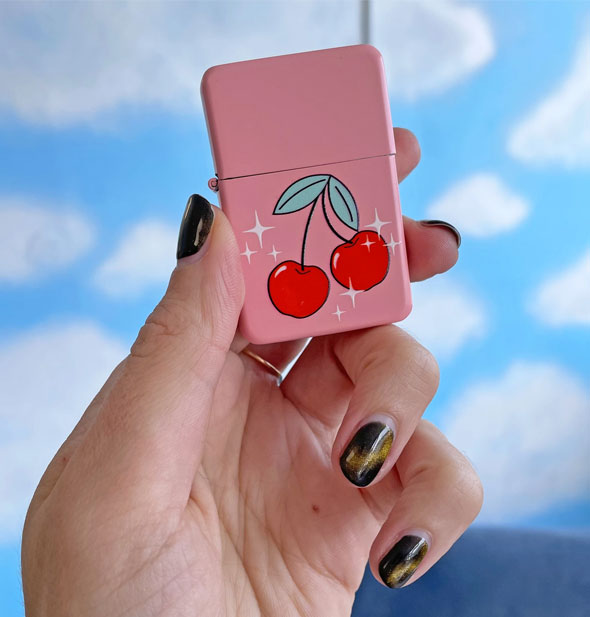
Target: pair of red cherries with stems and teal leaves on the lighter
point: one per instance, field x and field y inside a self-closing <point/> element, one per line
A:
<point x="299" y="290"/>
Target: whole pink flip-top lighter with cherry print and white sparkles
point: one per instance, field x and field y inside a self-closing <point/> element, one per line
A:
<point x="304" y="157"/>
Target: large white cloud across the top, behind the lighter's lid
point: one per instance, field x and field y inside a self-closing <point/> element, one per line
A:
<point x="93" y="57"/>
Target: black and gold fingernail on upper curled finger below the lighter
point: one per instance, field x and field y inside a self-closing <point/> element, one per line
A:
<point x="366" y="452"/>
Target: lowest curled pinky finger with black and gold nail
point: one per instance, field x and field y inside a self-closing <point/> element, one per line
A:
<point x="441" y="496"/>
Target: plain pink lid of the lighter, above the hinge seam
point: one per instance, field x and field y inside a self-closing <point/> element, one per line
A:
<point x="298" y="110"/>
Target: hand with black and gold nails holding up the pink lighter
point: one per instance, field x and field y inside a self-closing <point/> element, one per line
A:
<point x="195" y="485"/>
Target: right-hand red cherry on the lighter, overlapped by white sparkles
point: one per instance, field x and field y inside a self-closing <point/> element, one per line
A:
<point x="362" y="262"/>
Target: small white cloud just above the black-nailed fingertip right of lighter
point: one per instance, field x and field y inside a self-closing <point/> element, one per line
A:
<point x="480" y="205"/>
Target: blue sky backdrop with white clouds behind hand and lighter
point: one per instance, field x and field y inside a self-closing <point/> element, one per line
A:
<point x="102" y="139"/>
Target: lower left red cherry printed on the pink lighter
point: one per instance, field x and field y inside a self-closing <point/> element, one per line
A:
<point x="296" y="290"/>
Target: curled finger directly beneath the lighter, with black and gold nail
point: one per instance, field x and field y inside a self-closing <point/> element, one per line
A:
<point x="394" y="378"/>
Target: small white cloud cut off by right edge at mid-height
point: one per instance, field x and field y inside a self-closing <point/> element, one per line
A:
<point x="564" y="299"/>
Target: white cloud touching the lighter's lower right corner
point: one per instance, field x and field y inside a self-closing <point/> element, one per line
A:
<point x="445" y="316"/>
